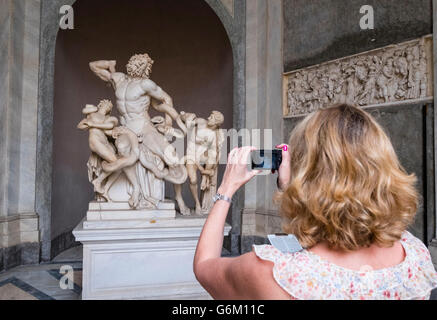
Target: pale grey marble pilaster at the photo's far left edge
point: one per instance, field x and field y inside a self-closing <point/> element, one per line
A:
<point x="19" y="58"/>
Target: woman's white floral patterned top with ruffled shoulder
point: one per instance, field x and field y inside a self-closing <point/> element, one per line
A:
<point x="307" y="276"/>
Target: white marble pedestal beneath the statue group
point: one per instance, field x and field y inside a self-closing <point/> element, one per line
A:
<point x="139" y="257"/>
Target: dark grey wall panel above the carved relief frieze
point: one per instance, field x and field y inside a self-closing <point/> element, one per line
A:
<point x="316" y="31"/>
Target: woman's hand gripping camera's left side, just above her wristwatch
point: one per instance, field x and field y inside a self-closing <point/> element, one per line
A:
<point x="237" y="173"/>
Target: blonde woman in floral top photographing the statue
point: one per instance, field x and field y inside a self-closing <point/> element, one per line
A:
<point x="348" y="201"/>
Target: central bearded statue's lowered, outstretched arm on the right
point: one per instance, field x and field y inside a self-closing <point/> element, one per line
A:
<point x="162" y="102"/>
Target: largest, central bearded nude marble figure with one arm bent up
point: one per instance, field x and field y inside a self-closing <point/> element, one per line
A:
<point x="135" y="93"/>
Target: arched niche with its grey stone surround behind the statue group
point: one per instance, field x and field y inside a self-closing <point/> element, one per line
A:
<point x="66" y="84"/>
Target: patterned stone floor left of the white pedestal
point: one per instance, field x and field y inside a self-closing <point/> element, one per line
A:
<point x="59" y="280"/>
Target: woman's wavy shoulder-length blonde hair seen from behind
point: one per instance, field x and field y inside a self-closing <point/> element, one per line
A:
<point x="347" y="187"/>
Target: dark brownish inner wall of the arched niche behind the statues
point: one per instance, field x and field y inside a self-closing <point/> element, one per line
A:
<point x="193" y="63"/>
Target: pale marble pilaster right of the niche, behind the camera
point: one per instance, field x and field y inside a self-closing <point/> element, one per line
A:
<point x="264" y="68"/>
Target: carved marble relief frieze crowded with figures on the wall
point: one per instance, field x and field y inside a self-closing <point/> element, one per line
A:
<point x="391" y="74"/>
